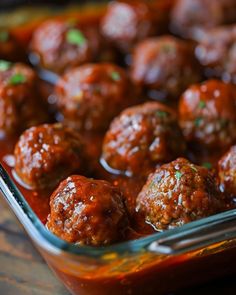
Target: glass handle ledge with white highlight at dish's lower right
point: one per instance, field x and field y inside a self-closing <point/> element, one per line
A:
<point x="191" y="238"/>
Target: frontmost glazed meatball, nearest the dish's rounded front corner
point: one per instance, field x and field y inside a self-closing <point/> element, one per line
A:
<point x="87" y="211"/>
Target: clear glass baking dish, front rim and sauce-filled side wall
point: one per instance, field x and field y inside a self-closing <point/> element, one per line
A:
<point x="157" y="264"/>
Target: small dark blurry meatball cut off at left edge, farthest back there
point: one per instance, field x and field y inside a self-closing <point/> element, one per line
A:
<point x="10" y="49"/>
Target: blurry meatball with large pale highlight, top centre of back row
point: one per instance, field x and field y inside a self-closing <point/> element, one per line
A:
<point x="129" y="21"/>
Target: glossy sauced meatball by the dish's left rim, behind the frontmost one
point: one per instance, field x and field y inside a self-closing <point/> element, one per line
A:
<point x="46" y="154"/>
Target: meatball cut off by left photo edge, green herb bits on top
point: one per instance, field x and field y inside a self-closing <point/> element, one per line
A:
<point x="20" y="105"/>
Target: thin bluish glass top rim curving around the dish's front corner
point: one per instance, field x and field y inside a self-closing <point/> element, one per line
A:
<point x="9" y="190"/>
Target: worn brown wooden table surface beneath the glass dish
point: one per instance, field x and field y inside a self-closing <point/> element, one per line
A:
<point x="24" y="272"/>
